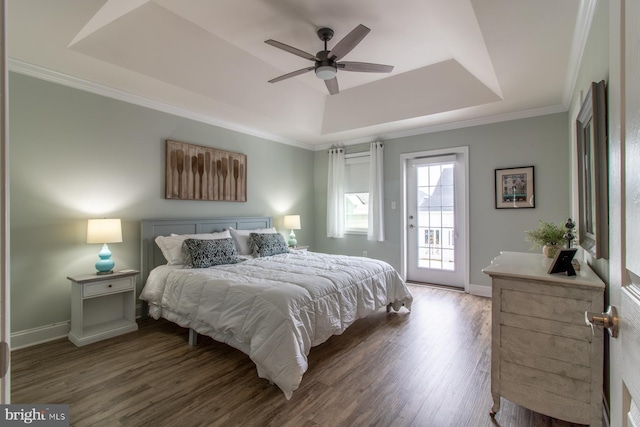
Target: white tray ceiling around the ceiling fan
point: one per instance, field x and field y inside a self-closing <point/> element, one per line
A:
<point x="456" y="61"/>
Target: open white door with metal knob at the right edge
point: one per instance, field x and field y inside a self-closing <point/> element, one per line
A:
<point x="624" y="211"/>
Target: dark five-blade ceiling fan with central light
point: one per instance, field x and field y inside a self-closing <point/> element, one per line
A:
<point x="326" y="61"/>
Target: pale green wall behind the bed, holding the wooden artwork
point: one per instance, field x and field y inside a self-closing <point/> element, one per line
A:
<point x="75" y="155"/>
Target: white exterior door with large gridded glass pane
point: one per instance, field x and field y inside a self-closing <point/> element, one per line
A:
<point x="435" y="219"/>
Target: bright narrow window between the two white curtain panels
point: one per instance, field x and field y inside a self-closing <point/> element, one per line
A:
<point x="356" y="193"/>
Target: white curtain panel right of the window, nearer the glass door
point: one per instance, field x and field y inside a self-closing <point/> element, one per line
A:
<point x="376" y="193"/>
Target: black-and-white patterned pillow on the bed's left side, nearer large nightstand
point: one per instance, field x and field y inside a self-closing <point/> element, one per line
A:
<point x="207" y="253"/>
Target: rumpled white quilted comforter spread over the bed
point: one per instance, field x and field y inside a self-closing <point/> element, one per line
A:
<point x="275" y="308"/>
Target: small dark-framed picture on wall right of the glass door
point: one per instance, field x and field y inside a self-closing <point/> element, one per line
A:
<point x="515" y="188"/>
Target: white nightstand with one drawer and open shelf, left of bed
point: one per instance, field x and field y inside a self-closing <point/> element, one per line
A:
<point x="102" y="306"/>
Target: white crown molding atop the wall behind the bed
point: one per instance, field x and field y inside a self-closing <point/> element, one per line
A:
<point x="42" y="73"/>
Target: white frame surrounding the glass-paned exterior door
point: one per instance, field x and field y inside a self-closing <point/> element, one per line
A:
<point x="462" y="151"/>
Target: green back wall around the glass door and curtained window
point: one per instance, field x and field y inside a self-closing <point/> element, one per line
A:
<point x="539" y="141"/>
